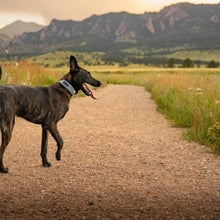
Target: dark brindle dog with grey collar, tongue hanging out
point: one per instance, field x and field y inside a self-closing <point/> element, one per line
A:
<point x="42" y="105"/>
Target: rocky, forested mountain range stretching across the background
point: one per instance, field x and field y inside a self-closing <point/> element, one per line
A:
<point x="183" y="25"/>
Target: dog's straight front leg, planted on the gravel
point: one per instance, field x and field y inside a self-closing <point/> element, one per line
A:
<point x="44" y="147"/>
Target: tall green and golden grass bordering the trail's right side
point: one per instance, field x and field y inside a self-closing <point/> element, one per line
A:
<point x="191" y="100"/>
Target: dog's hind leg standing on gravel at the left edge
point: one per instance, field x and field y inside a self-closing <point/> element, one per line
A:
<point x="6" y="130"/>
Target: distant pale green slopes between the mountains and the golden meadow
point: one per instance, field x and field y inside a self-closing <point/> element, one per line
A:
<point x="157" y="58"/>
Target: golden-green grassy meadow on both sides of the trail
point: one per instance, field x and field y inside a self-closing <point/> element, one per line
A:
<point x="188" y="97"/>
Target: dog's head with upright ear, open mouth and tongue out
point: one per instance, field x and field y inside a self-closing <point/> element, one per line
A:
<point x="80" y="76"/>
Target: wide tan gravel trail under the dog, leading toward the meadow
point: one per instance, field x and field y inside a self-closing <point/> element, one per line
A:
<point x="121" y="160"/>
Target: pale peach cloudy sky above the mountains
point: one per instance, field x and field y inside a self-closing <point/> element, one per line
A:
<point x="43" y="11"/>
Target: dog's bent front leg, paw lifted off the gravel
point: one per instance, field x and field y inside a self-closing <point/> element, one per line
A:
<point x="52" y="128"/>
